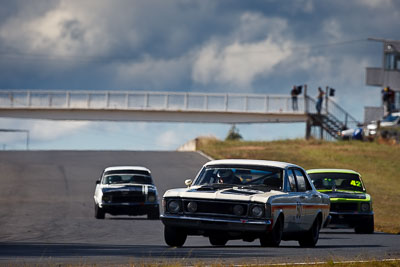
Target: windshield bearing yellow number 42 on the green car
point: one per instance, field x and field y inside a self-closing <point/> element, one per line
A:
<point x="337" y="181"/>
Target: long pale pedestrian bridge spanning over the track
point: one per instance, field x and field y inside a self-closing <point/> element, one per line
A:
<point x="151" y="106"/>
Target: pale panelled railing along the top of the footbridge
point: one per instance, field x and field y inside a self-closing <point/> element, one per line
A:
<point x="136" y="100"/>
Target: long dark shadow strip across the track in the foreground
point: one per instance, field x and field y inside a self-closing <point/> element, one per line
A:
<point x="55" y="250"/>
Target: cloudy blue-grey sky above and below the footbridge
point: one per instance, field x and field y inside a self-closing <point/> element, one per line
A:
<point x="225" y="46"/>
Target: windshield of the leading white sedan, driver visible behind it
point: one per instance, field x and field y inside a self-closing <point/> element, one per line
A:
<point x="257" y="177"/>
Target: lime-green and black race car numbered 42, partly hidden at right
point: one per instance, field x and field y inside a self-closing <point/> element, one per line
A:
<point x="351" y="206"/>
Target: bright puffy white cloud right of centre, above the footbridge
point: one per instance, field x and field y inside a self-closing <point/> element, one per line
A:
<point x="237" y="63"/>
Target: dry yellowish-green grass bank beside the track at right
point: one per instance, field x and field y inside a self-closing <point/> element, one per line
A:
<point x="379" y="165"/>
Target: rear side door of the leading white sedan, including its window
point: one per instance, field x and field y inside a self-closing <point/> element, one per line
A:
<point x="307" y="199"/>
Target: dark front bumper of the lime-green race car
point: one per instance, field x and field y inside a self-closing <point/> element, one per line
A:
<point x="349" y="219"/>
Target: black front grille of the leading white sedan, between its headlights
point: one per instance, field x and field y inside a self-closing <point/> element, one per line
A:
<point x="215" y="207"/>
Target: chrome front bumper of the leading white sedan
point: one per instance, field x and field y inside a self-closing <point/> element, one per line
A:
<point x="215" y="224"/>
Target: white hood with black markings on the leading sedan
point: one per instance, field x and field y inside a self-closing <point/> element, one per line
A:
<point x="232" y="193"/>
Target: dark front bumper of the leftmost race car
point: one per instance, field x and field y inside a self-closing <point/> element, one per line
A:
<point x="129" y="208"/>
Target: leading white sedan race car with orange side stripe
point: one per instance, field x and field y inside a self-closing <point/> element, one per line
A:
<point x="248" y="200"/>
